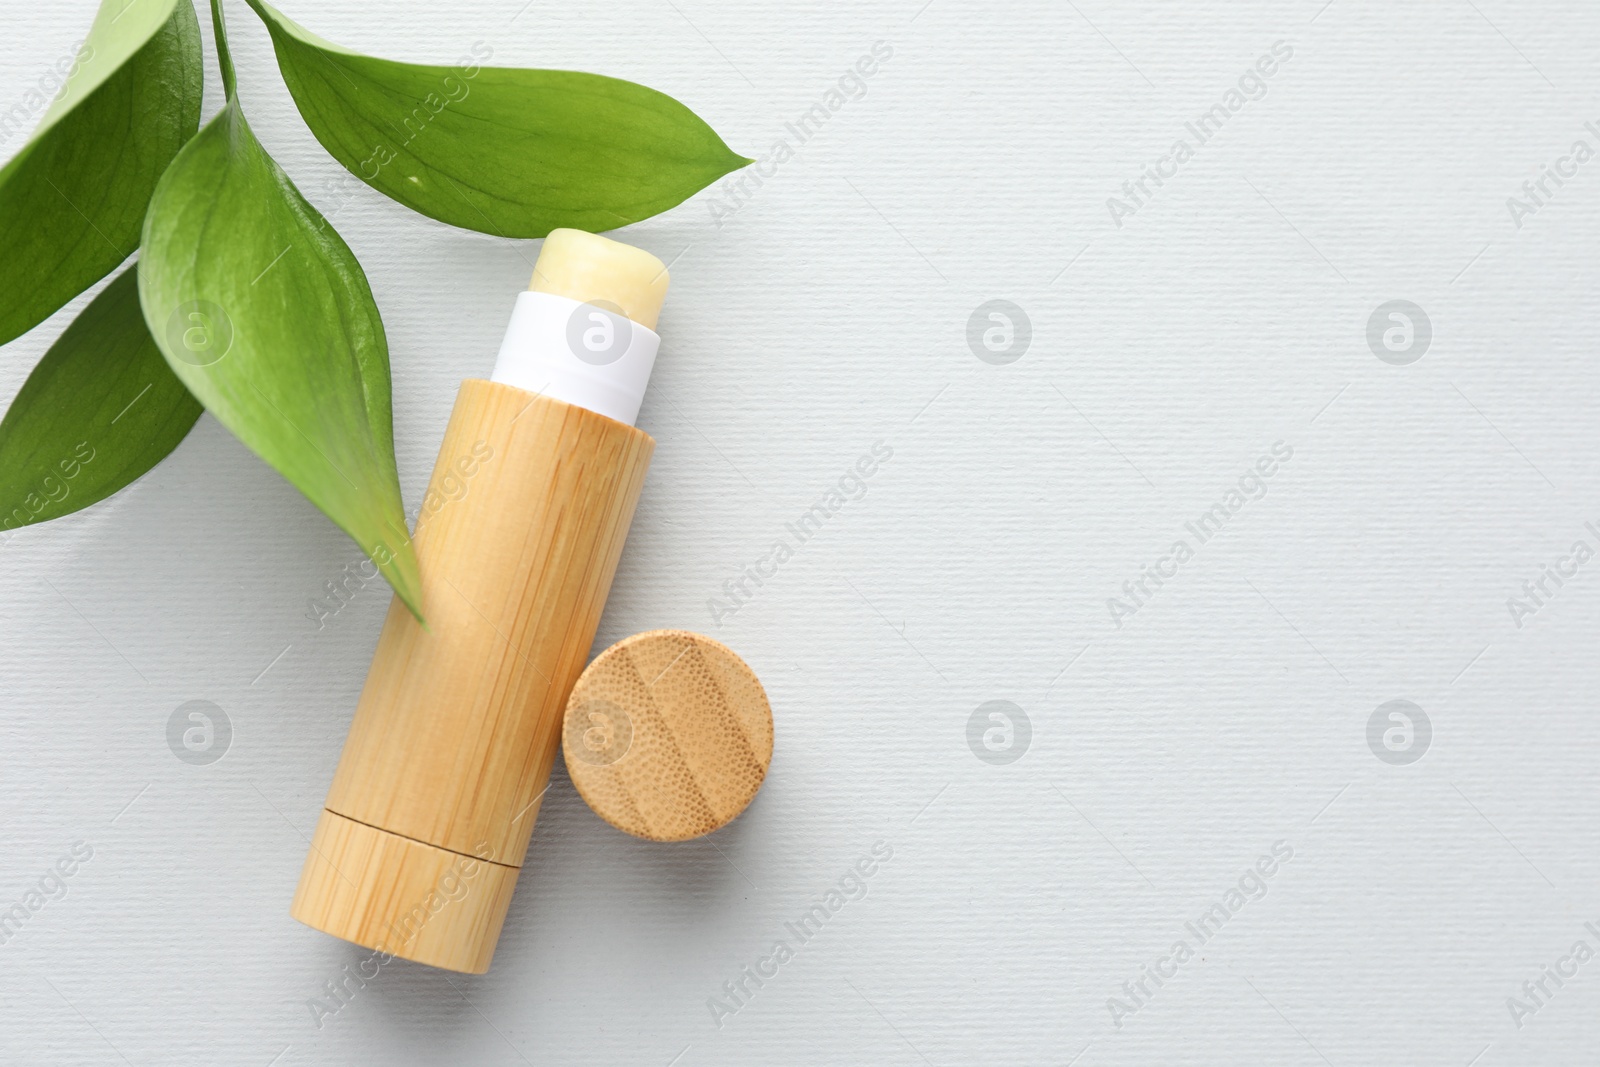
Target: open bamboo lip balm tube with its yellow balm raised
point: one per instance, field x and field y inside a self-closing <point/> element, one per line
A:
<point x="428" y="821"/>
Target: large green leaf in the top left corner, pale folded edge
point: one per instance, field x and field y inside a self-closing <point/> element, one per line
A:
<point x="74" y="198"/>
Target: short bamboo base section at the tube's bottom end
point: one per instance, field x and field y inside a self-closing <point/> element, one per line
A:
<point x="402" y="897"/>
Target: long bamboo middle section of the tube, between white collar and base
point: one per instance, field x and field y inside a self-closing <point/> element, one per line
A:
<point x="457" y="729"/>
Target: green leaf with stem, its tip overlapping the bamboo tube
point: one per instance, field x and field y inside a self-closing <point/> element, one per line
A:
<point x="265" y="314"/>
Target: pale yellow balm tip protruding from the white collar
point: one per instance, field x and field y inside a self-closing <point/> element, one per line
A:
<point x="601" y="271"/>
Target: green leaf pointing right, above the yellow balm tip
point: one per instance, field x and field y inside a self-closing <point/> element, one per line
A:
<point x="502" y="151"/>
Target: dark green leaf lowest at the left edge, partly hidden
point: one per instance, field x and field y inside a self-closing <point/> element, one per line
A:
<point x="98" y="412"/>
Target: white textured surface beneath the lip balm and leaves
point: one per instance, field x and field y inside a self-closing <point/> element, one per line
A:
<point x="828" y="314"/>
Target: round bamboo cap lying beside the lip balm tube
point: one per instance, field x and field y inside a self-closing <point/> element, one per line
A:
<point x="668" y="735"/>
